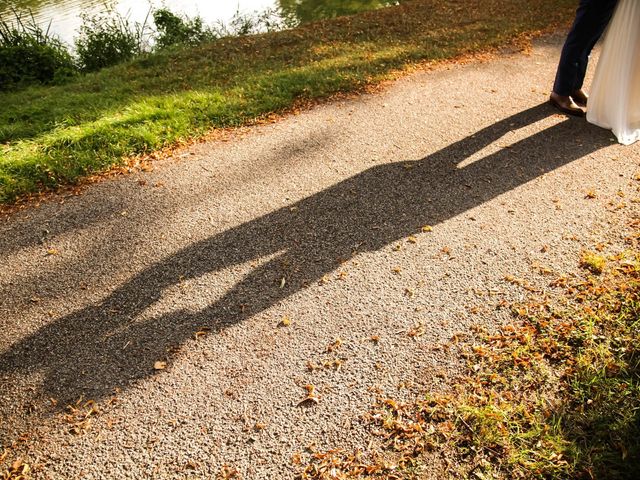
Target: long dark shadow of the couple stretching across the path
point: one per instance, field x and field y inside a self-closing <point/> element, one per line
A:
<point x="83" y="354"/>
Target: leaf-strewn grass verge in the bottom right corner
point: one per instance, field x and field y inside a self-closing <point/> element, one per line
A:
<point x="554" y="395"/>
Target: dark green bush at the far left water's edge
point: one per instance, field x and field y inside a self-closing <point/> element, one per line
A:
<point x="28" y="54"/>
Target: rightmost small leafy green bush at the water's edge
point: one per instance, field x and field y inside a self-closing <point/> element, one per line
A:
<point x="173" y="29"/>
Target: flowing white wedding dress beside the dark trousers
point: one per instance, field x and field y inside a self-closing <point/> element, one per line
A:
<point x="614" y="102"/>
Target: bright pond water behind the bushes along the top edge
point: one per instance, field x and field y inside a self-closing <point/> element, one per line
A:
<point x="63" y="16"/>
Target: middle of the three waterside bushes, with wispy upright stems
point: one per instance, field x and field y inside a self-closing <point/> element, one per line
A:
<point x="108" y="39"/>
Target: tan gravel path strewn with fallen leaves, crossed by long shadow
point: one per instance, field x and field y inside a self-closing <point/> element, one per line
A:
<point x="182" y="312"/>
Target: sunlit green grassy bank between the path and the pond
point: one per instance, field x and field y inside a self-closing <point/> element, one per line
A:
<point x="52" y="136"/>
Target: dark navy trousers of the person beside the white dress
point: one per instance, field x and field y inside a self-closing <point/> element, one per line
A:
<point x="592" y="19"/>
